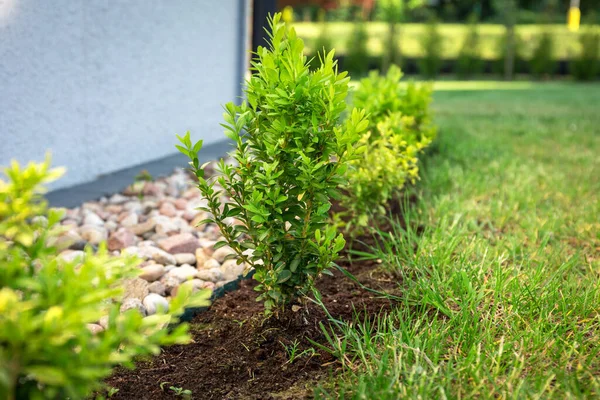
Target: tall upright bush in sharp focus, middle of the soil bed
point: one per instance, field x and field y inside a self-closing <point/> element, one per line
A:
<point x="291" y="155"/>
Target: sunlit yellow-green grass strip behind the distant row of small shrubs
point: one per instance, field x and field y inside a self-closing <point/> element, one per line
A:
<point x="567" y="44"/>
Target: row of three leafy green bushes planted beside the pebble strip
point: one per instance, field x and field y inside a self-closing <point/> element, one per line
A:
<point x="297" y="148"/>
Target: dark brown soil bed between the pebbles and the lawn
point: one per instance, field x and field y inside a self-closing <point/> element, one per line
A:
<point x="238" y="354"/>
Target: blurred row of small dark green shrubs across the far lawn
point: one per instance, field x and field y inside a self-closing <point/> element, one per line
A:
<point x="470" y="62"/>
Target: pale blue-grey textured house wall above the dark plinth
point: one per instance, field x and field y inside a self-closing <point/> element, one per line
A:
<point x="105" y="85"/>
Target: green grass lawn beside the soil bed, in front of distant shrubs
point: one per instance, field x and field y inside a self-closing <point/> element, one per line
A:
<point x="501" y="291"/>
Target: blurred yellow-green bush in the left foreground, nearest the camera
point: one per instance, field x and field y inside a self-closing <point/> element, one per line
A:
<point x="46" y="302"/>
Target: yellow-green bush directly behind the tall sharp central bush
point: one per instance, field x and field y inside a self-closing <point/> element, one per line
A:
<point x="400" y="126"/>
